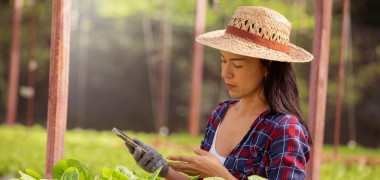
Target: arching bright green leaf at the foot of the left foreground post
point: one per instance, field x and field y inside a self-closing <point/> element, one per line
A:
<point x="63" y="164"/>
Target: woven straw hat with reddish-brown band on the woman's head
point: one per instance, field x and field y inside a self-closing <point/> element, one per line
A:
<point x="257" y="32"/>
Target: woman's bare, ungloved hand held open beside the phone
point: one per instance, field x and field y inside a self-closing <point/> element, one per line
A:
<point x="205" y="165"/>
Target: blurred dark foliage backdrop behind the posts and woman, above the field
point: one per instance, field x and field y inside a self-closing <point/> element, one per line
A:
<point x="110" y="35"/>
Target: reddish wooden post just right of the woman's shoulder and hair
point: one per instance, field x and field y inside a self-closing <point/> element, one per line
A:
<point x="318" y="84"/>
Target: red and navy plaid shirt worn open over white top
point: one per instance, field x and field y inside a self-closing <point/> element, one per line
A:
<point x="275" y="146"/>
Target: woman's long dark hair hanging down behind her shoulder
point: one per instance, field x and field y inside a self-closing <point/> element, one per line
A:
<point x="281" y="92"/>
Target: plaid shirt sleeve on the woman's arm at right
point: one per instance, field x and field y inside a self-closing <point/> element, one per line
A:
<point x="289" y="151"/>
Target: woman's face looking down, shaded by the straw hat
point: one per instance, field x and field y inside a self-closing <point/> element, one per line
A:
<point x="243" y="75"/>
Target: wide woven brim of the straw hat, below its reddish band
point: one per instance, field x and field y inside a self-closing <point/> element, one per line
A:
<point x="237" y="45"/>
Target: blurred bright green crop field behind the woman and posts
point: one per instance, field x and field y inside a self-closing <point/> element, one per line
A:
<point x="22" y="148"/>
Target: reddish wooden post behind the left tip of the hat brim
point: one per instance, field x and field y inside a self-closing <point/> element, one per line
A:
<point x="197" y="69"/>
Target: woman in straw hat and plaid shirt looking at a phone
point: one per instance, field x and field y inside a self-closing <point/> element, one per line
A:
<point x="262" y="131"/>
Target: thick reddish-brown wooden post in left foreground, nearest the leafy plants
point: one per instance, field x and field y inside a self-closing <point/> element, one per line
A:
<point x="58" y="83"/>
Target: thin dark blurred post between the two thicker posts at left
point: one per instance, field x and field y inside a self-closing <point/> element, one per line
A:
<point x="32" y="65"/>
